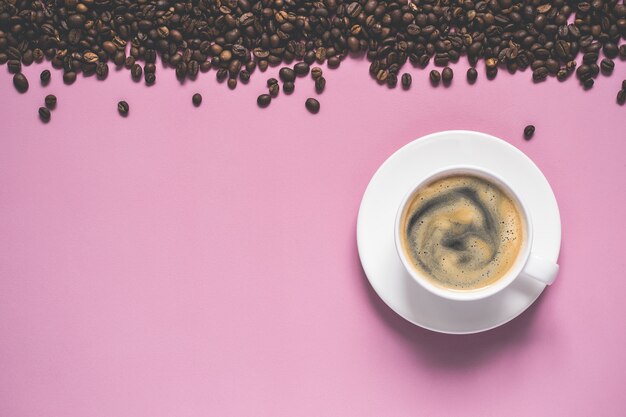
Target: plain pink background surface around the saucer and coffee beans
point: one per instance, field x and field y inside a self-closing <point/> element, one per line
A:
<point x="202" y="262"/>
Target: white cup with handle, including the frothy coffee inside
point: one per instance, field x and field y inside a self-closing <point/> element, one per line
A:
<point x="464" y="234"/>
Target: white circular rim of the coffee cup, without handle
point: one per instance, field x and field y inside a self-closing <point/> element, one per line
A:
<point x="511" y="274"/>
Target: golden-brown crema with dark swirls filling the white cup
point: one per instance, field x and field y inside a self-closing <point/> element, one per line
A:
<point x="462" y="232"/>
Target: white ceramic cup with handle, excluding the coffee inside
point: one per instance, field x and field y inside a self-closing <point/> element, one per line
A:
<point x="527" y="265"/>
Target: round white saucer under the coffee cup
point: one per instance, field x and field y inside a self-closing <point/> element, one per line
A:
<point x="375" y="236"/>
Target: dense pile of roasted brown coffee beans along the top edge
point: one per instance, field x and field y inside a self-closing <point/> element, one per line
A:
<point x="235" y="37"/>
